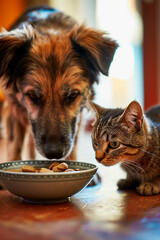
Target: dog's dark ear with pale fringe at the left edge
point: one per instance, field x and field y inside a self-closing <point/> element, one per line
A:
<point x="13" y="47"/>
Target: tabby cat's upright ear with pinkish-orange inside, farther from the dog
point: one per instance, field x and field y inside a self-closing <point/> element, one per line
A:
<point x="132" y="116"/>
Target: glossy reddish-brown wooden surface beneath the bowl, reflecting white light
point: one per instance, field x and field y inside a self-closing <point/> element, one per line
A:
<point x="97" y="213"/>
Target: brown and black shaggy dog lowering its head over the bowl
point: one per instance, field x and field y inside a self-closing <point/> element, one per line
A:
<point x="48" y="64"/>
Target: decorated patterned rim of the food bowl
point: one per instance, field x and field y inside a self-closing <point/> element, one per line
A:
<point x="22" y="162"/>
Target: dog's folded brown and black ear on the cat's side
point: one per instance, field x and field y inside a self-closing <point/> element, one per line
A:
<point x="98" y="48"/>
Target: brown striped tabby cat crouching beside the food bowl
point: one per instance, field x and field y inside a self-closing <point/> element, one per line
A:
<point x="132" y="138"/>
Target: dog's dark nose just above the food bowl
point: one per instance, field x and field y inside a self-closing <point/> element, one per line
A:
<point x="52" y="152"/>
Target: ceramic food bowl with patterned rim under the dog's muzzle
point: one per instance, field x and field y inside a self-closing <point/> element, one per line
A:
<point x="45" y="187"/>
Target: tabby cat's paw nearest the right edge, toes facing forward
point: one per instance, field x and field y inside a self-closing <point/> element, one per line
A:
<point x="148" y="189"/>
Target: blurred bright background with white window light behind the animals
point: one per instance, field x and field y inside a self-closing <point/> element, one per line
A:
<point x="134" y="73"/>
